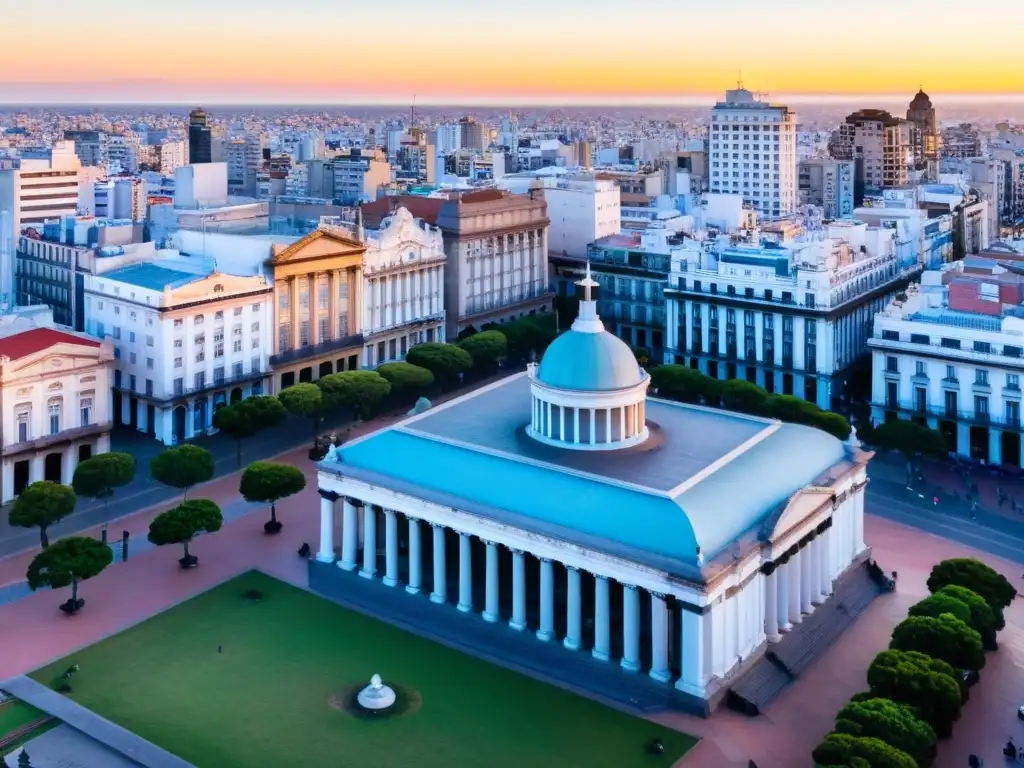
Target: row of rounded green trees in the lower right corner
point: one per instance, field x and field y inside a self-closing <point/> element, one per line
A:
<point x="918" y="688"/>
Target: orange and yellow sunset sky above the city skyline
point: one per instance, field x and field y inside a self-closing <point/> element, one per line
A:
<point x="332" y="52"/>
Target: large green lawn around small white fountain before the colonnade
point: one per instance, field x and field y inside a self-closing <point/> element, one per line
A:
<point x="265" y="701"/>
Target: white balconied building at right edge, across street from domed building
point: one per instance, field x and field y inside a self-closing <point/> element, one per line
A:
<point x="958" y="372"/>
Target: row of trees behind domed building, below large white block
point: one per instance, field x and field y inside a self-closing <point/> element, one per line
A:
<point x="690" y="386"/>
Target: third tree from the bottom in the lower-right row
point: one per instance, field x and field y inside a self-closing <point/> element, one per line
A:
<point x="929" y="686"/>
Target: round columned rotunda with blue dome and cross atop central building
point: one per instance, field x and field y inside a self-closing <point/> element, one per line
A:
<point x="589" y="393"/>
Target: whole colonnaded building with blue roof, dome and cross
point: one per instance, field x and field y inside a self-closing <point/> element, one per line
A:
<point x="664" y="546"/>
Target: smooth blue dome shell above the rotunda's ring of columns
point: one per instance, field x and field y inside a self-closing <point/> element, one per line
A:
<point x="589" y="362"/>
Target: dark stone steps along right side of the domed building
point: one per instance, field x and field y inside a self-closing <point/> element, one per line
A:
<point x="786" y="661"/>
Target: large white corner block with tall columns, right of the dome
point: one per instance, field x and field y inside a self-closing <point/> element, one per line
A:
<point x="792" y="317"/>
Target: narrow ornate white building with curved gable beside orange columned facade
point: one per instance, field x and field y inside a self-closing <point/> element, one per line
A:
<point x="404" y="288"/>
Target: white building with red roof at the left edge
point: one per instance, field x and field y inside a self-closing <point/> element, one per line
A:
<point x="54" y="403"/>
